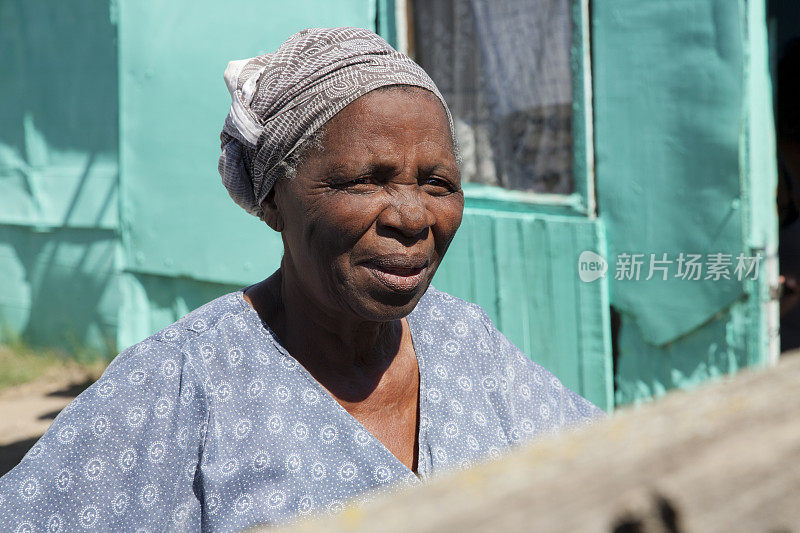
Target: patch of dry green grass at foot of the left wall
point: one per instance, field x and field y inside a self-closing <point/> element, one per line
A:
<point x="20" y="364"/>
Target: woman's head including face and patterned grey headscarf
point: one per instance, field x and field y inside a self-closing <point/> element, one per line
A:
<point x="371" y="195"/>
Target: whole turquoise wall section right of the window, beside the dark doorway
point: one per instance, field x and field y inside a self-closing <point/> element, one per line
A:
<point x="685" y="162"/>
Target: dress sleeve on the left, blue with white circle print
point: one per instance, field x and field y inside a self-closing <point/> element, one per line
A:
<point x="122" y="455"/>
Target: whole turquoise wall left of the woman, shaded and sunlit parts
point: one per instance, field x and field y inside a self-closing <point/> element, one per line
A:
<point x="110" y="118"/>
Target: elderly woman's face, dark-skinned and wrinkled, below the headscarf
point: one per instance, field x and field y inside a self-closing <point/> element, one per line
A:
<point x="368" y="218"/>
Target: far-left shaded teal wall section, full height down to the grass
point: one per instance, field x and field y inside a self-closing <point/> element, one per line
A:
<point x="58" y="169"/>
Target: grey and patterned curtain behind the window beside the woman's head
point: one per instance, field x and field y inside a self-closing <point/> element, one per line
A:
<point x="504" y="68"/>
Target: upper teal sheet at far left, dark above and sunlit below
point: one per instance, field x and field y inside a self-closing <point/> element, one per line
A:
<point x="58" y="114"/>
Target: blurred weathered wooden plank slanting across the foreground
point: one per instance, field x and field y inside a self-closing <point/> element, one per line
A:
<point x="721" y="458"/>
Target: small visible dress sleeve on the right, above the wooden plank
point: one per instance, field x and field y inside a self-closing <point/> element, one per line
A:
<point x="537" y="401"/>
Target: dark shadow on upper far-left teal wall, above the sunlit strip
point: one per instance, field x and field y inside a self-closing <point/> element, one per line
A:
<point x="55" y="85"/>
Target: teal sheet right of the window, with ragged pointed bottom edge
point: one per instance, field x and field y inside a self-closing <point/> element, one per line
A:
<point x="669" y="85"/>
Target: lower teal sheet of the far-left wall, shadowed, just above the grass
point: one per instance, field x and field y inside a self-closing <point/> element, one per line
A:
<point x="64" y="289"/>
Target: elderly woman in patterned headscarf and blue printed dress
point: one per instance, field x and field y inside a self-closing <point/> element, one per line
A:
<point x="342" y="372"/>
